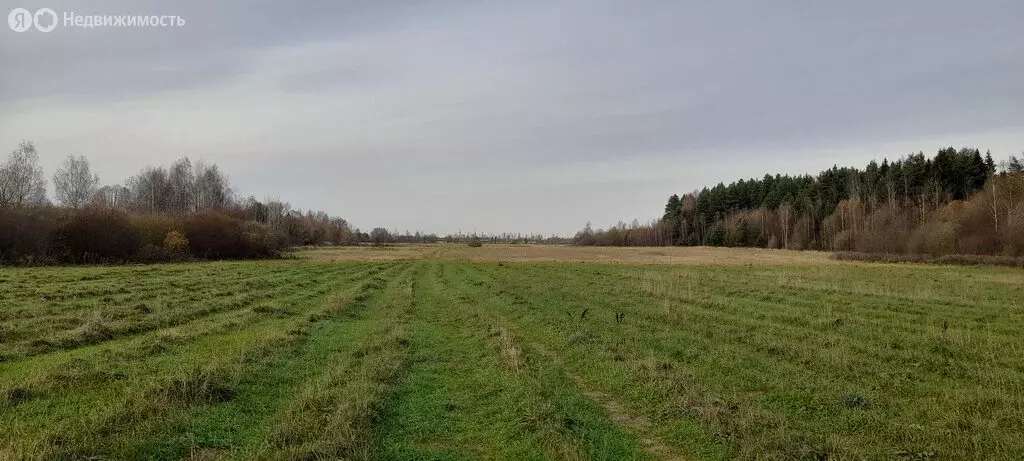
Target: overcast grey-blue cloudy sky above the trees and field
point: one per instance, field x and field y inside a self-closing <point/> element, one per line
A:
<point x="513" y="116"/>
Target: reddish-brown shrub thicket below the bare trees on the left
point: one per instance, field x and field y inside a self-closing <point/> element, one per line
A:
<point x="100" y="235"/>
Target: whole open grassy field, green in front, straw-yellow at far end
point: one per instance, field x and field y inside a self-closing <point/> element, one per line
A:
<point x="446" y="354"/>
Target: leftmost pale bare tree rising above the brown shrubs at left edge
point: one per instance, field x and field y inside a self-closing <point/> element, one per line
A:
<point x="22" y="181"/>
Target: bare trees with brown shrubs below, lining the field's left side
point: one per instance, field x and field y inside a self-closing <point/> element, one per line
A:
<point x="185" y="211"/>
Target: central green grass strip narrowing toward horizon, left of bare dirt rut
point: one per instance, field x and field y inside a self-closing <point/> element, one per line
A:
<point x="474" y="391"/>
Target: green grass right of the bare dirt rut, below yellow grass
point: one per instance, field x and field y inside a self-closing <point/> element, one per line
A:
<point x="782" y="363"/>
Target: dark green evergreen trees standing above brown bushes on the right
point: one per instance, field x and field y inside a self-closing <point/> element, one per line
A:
<point x="916" y="181"/>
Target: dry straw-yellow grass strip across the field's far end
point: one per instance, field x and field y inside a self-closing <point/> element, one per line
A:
<point x="630" y="256"/>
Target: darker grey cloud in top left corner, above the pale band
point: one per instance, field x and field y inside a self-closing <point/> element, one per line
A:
<point x="216" y="46"/>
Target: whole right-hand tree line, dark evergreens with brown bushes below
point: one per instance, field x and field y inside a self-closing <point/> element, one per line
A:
<point x="959" y="201"/>
